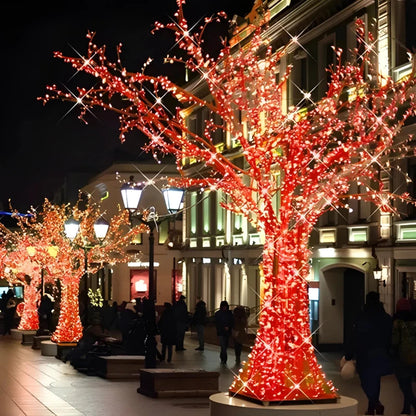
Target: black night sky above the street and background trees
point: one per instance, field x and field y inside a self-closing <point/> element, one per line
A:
<point x="40" y="144"/>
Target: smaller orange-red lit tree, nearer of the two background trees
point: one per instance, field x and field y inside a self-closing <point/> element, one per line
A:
<point x="83" y="255"/>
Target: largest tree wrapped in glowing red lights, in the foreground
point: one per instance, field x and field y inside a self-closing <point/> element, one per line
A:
<point x="308" y="159"/>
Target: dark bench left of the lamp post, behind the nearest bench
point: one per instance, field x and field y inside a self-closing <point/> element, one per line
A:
<point x="118" y="366"/>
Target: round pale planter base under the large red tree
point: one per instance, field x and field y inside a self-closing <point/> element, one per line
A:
<point x="222" y="404"/>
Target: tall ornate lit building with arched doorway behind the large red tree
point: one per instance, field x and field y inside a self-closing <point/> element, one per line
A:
<point x="222" y="251"/>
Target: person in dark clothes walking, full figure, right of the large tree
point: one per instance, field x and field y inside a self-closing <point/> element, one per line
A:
<point x="370" y="346"/>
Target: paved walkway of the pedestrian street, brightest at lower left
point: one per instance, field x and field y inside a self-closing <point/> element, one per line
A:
<point x="36" y="385"/>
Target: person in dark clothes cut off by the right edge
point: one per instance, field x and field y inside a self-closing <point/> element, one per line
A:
<point x="404" y="349"/>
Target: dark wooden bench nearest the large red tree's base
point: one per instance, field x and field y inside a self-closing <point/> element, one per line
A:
<point x="165" y="382"/>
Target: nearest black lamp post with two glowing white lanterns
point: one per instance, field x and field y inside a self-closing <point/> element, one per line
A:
<point x="131" y="193"/>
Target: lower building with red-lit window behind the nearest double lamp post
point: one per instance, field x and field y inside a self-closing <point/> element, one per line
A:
<point x="125" y="282"/>
